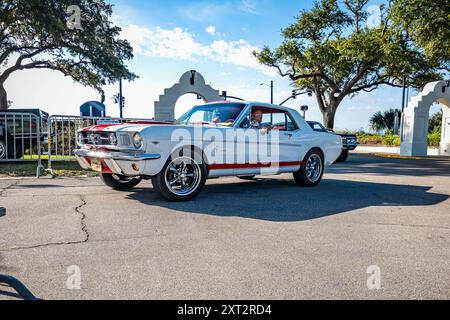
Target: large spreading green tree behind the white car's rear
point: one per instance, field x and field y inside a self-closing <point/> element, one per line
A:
<point x="332" y="50"/>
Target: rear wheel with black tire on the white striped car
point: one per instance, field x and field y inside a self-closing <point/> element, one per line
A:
<point x="311" y="171"/>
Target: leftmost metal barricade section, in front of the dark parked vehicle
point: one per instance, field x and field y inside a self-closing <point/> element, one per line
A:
<point x="21" y="138"/>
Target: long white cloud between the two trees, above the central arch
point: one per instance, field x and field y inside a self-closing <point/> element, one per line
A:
<point x="177" y="43"/>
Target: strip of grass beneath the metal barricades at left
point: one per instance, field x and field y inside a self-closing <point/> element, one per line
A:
<point x="28" y="169"/>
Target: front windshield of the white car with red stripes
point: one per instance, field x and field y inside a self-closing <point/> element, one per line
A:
<point x="221" y="114"/>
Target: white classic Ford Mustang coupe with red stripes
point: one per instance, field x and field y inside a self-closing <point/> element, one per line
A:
<point x="242" y="139"/>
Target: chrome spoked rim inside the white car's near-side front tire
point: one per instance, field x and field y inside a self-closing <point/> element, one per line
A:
<point x="182" y="176"/>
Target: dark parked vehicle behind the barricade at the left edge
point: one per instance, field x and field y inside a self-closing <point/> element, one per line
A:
<point x="19" y="131"/>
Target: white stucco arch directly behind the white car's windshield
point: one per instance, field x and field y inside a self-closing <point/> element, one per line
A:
<point x="190" y="82"/>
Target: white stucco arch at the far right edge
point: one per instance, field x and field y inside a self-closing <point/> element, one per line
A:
<point x="416" y="116"/>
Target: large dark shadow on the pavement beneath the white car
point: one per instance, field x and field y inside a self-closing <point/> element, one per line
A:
<point x="281" y="200"/>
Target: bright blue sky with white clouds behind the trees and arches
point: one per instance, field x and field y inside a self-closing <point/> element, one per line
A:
<point x="213" y="37"/>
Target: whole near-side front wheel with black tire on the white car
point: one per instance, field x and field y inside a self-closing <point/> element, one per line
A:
<point x="181" y="179"/>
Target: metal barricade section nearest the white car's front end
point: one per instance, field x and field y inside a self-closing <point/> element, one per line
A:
<point x="62" y="134"/>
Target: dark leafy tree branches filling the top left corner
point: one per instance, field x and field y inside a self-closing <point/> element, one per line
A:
<point x="38" y="34"/>
